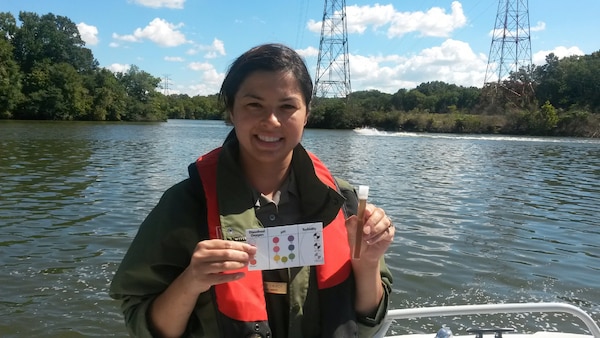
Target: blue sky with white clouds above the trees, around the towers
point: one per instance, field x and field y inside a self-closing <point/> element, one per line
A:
<point x="392" y="44"/>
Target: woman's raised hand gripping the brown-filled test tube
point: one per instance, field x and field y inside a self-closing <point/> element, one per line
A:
<point x="378" y="233"/>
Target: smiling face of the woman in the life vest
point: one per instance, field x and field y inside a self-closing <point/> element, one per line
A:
<point x="269" y="115"/>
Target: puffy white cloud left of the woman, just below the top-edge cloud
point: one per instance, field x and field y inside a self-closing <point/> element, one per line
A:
<point x="159" y="31"/>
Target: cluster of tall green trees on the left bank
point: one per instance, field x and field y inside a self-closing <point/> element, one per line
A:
<point x="47" y="73"/>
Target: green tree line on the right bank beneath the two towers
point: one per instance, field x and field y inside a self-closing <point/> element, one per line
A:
<point x="559" y="98"/>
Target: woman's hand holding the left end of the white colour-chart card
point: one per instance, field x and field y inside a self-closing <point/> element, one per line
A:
<point x="215" y="261"/>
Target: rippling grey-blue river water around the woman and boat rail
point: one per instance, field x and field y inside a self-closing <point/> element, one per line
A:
<point x="480" y="218"/>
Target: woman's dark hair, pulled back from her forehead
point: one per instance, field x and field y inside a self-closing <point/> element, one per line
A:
<point x="268" y="57"/>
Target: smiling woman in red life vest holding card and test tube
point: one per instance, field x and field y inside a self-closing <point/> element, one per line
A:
<point x="261" y="177"/>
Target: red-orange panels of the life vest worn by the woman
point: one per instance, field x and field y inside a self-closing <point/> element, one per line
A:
<point x="244" y="299"/>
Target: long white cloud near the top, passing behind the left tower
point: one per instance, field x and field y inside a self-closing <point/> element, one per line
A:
<point x="434" y="22"/>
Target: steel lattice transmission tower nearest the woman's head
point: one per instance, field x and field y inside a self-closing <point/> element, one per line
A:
<point x="333" y="68"/>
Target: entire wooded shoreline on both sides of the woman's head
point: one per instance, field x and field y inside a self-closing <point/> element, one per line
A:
<point x="47" y="73"/>
